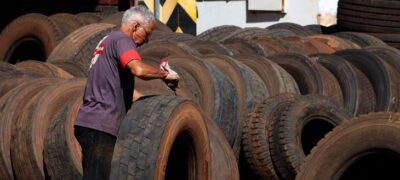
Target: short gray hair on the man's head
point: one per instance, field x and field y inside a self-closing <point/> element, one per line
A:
<point x="138" y="13"/>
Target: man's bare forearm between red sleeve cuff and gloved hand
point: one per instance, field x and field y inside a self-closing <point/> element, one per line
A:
<point x="145" y="71"/>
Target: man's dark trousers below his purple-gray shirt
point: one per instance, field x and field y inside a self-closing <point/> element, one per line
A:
<point x="97" y="151"/>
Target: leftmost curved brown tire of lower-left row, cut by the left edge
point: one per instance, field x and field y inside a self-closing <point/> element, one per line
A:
<point x="12" y="105"/>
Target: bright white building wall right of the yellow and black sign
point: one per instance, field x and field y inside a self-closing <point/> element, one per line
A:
<point x="216" y="13"/>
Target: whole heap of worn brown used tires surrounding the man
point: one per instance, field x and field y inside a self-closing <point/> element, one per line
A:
<point x="281" y="102"/>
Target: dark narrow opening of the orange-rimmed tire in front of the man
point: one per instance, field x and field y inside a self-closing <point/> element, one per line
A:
<point x="182" y="159"/>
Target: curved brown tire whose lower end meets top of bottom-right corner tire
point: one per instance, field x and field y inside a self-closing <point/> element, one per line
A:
<point x="357" y="90"/>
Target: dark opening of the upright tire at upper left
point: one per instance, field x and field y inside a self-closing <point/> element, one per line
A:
<point x="25" y="49"/>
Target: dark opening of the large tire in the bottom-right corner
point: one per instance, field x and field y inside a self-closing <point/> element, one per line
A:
<point x="376" y="164"/>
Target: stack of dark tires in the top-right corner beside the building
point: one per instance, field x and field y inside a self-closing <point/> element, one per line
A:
<point x="379" y="18"/>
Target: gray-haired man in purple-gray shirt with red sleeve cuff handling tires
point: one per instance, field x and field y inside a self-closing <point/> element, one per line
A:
<point x="109" y="89"/>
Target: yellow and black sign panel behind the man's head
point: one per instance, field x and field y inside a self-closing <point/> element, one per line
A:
<point x="179" y="15"/>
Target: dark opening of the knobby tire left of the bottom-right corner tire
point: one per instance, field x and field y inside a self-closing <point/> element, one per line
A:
<point x="313" y="131"/>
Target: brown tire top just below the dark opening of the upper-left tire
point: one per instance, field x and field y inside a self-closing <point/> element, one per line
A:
<point x="43" y="69"/>
